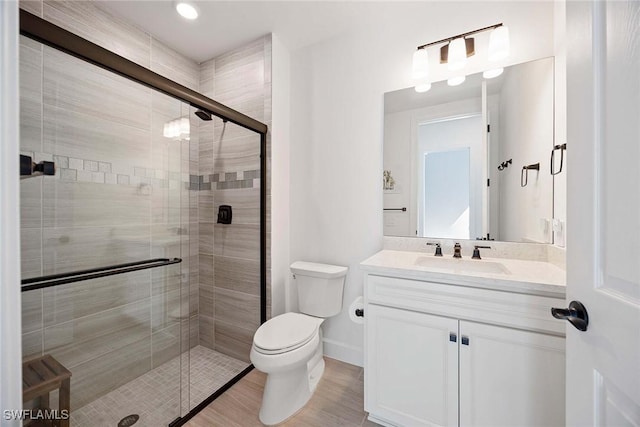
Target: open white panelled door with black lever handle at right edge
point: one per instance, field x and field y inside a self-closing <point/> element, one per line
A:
<point x="603" y="246"/>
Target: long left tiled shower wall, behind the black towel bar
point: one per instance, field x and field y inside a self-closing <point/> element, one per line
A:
<point x="120" y="195"/>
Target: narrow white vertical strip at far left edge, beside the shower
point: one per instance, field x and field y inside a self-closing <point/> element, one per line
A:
<point x="10" y="306"/>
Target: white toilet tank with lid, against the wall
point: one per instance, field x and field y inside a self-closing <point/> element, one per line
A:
<point x="320" y="288"/>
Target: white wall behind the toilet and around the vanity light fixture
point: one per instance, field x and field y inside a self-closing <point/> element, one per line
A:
<point x="337" y="91"/>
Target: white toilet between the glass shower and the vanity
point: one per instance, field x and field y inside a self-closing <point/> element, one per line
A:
<point x="288" y="347"/>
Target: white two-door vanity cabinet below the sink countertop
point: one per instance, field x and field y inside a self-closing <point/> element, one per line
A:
<point x="445" y="354"/>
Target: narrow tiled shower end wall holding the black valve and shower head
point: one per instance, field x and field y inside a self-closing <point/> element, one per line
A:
<point x="229" y="164"/>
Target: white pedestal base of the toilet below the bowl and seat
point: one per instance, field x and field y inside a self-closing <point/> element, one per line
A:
<point x="286" y="393"/>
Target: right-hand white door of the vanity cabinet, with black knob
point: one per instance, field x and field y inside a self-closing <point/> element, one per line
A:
<point x="510" y="377"/>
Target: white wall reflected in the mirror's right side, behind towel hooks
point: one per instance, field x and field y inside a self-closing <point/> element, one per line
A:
<point x="526" y="136"/>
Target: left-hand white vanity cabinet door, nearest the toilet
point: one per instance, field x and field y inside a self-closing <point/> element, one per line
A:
<point x="411" y="370"/>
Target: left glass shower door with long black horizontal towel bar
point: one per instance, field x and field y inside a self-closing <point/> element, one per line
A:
<point x="119" y="195"/>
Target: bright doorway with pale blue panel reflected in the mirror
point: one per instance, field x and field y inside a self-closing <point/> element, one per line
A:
<point x="450" y="196"/>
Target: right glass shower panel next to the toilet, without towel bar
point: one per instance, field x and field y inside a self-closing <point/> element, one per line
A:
<point x="228" y="257"/>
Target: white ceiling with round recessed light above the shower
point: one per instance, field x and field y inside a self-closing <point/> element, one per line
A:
<point x="225" y="25"/>
